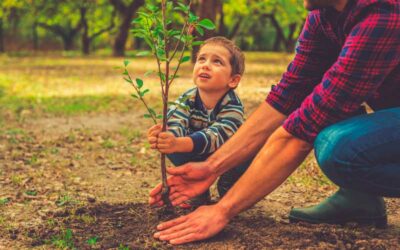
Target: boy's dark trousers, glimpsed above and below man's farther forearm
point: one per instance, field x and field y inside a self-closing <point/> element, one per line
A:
<point x="225" y="182"/>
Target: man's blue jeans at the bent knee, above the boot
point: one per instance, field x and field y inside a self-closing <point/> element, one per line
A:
<point x="363" y="153"/>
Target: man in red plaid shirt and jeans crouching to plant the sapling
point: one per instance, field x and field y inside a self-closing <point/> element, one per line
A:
<point x="348" y="54"/>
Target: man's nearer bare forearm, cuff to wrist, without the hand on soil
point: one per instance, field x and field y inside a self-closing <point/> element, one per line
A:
<point x="280" y="156"/>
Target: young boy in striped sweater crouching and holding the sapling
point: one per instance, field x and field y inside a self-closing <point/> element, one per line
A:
<point x="215" y="111"/>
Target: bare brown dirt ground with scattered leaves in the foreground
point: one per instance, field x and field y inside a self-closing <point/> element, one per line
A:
<point x="82" y="182"/>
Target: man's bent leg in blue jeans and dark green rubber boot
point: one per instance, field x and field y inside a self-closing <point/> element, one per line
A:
<point x="362" y="156"/>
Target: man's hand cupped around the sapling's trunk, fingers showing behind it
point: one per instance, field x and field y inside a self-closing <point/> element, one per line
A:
<point x="187" y="181"/>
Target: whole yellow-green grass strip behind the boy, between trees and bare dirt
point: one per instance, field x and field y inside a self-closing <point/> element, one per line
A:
<point x="71" y="85"/>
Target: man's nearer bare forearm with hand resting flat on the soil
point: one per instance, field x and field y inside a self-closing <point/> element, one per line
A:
<point x="280" y="156"/>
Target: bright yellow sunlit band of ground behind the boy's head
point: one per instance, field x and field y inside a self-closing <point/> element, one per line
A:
<point x="42" y="77"/>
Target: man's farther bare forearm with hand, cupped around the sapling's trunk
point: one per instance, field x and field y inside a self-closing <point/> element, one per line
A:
<point x="194" y="178"/>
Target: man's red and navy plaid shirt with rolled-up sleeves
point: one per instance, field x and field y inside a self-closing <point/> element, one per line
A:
<point x="342" y="60"/>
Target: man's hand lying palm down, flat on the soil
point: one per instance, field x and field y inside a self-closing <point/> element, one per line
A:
<point x="203" y="223"/>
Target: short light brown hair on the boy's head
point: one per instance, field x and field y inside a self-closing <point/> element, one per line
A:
<point x="237" y="56"/>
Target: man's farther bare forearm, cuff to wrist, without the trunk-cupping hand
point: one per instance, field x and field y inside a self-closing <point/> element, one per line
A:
<point x="248" y="140"/>
